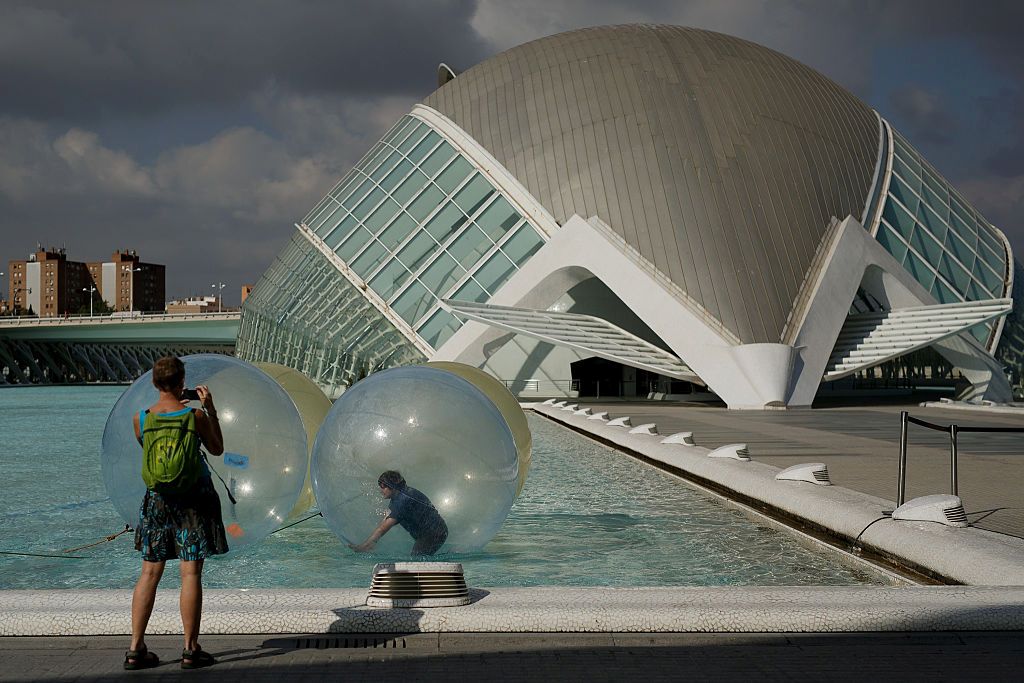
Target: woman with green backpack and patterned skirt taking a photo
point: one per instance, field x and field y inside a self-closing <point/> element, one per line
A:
<point x="181" y="517"/>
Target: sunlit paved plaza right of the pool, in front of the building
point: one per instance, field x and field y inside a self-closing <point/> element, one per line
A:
<point x="861" y="446"/>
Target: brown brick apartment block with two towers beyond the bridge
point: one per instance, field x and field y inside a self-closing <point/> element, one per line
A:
<point x="50" y="285"/>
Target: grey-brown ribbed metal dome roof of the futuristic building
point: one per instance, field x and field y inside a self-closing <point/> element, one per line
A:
<point x="720" y="161"/>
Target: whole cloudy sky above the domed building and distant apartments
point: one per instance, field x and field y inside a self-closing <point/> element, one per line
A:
<point x="199" y="133"/>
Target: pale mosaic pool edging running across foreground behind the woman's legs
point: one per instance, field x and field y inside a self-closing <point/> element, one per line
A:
<point x="548" y="610"/>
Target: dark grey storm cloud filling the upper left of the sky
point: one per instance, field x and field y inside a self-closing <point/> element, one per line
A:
<point x="68" y="60"/>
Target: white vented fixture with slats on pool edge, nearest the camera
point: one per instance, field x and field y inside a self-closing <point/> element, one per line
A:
<point x="418" y="585"/>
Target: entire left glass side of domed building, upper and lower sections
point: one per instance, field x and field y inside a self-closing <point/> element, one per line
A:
<point x="415" y="222"/>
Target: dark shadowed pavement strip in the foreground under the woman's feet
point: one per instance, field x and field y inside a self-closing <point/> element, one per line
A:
<point x="931" y="657"/>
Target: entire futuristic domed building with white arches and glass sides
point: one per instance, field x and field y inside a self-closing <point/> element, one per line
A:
<point x="658" y="201"/>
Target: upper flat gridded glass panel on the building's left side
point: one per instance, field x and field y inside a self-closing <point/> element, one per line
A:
<point x="417" y="223"/>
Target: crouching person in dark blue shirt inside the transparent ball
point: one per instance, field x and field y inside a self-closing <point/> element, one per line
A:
<point x="411" y="509"/>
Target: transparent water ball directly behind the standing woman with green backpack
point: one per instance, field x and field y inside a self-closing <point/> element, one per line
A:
<point x="265" y="461"/>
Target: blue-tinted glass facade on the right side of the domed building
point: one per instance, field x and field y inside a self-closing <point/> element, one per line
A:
<point x="948" y="246"/>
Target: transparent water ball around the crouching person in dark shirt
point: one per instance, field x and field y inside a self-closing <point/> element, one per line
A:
<point x="442" y="434"/>
